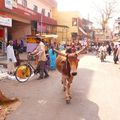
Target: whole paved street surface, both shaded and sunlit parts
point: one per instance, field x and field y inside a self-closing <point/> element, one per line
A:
<point x="95" y="92"/>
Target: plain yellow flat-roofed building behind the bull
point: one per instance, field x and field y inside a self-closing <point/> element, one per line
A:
<point x="67" y="24"/>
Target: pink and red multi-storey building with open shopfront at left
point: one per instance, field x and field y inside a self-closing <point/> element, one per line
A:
<point x="19" y="18"/>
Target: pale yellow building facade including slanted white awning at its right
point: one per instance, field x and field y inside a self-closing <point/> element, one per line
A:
<point x="72" y="25"/>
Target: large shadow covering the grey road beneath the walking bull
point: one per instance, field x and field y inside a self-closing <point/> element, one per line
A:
<point x="44" y="99"/>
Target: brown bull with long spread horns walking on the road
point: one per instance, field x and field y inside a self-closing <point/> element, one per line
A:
<point x="67" y="65"/>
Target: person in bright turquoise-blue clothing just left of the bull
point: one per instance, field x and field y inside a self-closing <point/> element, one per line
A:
<point x="52" y="58"/>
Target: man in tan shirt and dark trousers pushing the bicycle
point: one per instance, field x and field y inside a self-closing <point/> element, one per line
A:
<point x="40" y="52"/>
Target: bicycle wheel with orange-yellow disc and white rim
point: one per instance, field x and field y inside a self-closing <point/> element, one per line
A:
<point x="23" y="73"/>
